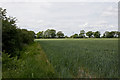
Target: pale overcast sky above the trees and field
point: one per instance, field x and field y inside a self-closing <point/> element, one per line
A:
<point x="67" y="16"/>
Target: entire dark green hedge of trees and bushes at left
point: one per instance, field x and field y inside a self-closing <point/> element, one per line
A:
<point x="13" y="38"/>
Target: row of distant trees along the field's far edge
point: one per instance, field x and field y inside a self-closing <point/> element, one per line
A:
<point x="51" y="33"/>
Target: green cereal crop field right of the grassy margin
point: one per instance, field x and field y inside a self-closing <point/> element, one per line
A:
<point x="79" y="58"/>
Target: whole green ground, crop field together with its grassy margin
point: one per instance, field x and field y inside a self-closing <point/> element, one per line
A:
<point x="64" y="58"/>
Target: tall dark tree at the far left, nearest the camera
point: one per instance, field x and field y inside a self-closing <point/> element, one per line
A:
<point x="9" y="36"/>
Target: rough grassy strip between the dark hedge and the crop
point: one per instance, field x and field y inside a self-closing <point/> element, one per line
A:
<point x="33" y="63"/>
